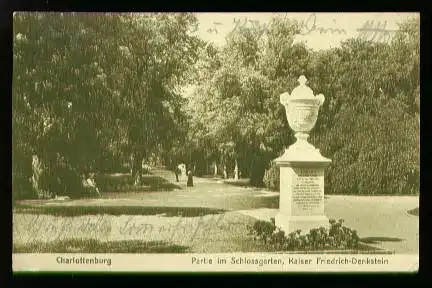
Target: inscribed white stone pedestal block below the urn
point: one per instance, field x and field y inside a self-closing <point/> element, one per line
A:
<point x="301" y="195"/>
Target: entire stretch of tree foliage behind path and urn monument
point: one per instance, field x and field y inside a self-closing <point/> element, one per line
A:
<point x="93" y="91"/>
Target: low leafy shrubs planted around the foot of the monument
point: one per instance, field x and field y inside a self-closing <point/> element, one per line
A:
<point x="336" y="237"/>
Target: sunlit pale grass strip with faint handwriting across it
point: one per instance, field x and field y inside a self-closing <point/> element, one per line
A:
<point x="29" y="228"/>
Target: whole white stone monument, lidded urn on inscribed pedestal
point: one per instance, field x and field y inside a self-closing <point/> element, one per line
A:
<point x="302" y="165"/>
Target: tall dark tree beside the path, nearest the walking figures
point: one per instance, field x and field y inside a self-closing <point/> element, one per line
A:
<point x="158" y="50"/>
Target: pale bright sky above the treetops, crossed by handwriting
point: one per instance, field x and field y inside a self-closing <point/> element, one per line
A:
<point x="331" y="28"/>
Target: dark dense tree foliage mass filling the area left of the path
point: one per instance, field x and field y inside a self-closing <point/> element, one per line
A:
<point x="93" y="90"/>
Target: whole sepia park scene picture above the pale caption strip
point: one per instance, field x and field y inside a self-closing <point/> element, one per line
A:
<point x="215" y="133"/>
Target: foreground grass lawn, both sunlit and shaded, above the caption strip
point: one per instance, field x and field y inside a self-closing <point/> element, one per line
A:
<point x="44" y="231"/>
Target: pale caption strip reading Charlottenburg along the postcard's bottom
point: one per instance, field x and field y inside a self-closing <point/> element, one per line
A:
<point x="235" y="262"/>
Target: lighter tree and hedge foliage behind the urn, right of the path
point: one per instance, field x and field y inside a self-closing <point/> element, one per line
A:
<point x="368" y="126"/>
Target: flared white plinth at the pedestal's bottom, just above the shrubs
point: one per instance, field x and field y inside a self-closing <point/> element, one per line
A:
<point x="290" y="224"/>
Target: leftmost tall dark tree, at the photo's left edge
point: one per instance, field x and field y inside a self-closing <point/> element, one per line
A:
<point x="60" y="94"/>
